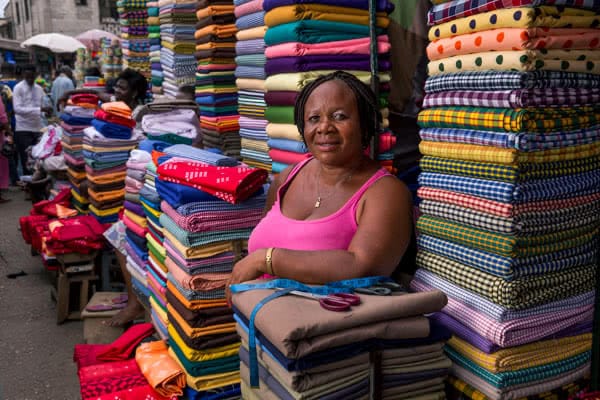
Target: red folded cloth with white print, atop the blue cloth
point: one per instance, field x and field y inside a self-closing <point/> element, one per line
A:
<point x="232" y="184"/>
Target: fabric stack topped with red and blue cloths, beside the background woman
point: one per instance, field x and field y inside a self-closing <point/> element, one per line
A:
<point x="106" y="147"/>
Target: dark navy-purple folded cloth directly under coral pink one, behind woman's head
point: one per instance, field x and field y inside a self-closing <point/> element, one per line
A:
<point x="349" y="62"/>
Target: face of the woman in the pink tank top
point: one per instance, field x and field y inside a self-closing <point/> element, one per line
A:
<point x="332" y="125"/>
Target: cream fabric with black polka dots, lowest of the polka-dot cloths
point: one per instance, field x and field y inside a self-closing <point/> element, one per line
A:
<point x="586" y="61"/>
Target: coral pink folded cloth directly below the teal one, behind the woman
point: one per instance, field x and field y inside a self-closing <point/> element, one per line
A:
<point x="352" y="46"/>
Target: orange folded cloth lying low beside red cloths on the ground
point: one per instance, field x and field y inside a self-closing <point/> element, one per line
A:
<point x="160" y="370"/>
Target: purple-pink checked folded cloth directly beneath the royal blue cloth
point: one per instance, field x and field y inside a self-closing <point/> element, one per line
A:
<point x="214" y="221"/>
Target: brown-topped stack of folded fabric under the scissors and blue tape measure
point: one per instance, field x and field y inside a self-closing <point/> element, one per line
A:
<point x="293" y="348"/>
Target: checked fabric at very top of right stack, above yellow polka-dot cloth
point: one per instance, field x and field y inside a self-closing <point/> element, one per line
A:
<point x="463" y="8"/>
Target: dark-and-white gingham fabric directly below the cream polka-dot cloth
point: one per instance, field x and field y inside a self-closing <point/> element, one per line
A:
<point x="507" y="80"/>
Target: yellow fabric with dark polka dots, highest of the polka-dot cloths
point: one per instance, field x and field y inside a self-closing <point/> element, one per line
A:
<point x="548" y="17"/>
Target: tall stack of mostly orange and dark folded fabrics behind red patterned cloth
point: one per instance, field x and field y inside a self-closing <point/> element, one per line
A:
<point x="216" y="93"/>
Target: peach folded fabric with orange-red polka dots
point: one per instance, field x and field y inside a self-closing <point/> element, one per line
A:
<point x="515" y="39"/>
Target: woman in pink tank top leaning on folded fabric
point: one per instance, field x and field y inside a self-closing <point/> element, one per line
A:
<point x="337" y="215"/>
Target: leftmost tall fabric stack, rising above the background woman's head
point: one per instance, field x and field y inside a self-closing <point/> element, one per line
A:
<point x="133" y="18"/>
